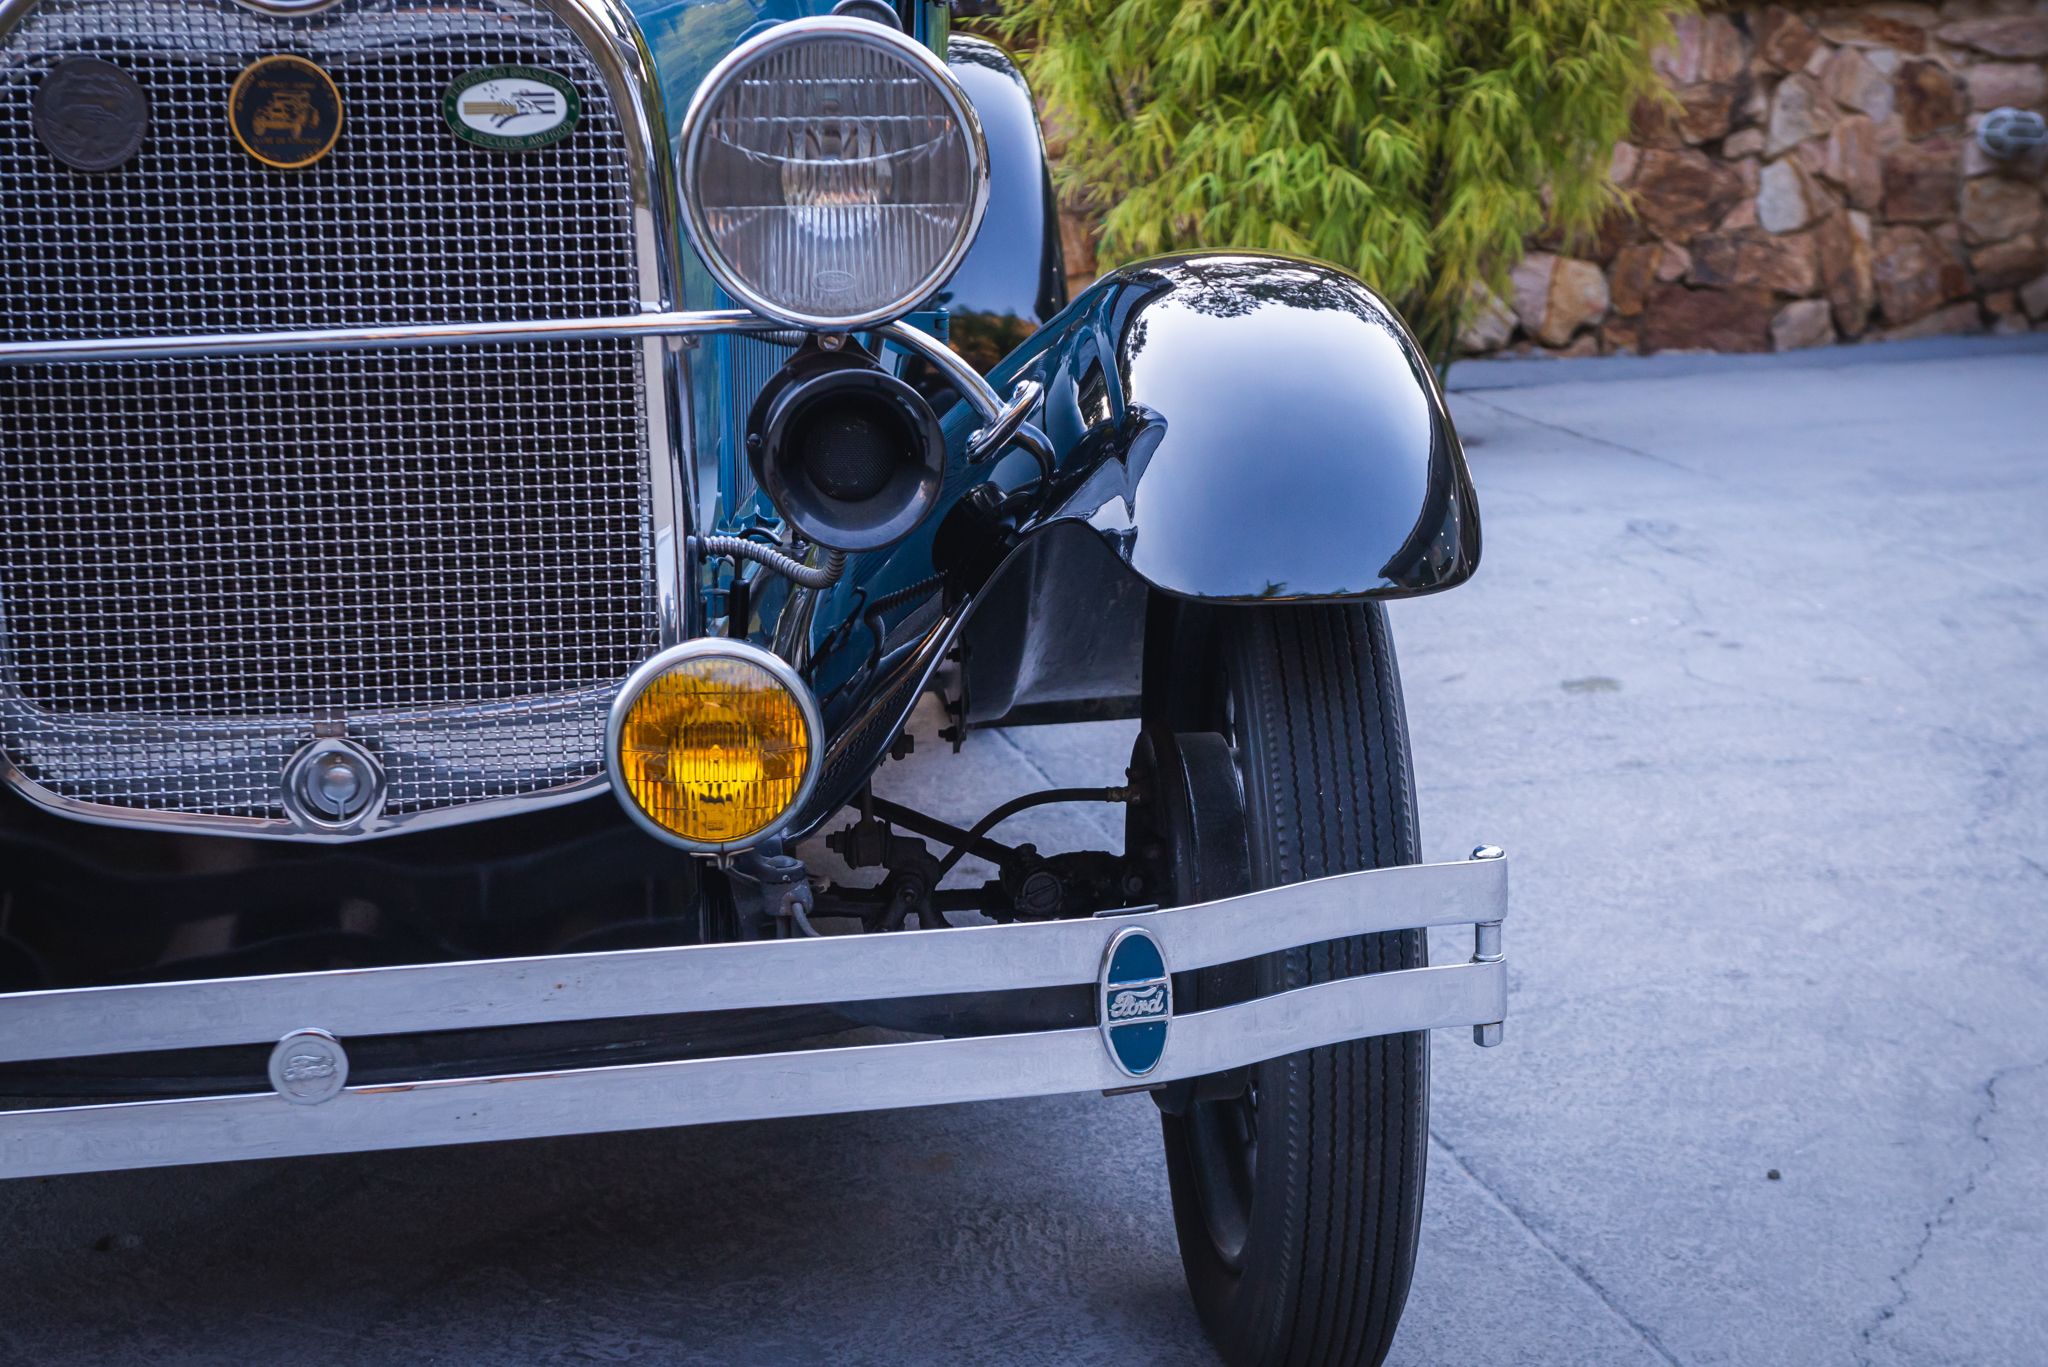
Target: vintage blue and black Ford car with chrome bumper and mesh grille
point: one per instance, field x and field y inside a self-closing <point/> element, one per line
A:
<point x="460" y="538"/>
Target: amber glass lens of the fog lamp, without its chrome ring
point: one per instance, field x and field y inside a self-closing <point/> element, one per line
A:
<point x="716" y="749"/>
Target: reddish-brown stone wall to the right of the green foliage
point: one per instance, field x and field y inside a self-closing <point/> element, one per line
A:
<point x="1822" y="183"/>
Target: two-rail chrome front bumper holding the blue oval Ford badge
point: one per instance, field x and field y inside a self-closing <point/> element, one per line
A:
<point x="437" y="997"/>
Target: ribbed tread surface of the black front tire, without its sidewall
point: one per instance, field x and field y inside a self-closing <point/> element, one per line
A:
<point x="1338" y="796"/>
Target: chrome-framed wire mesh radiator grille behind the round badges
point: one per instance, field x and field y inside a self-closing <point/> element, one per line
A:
<point x="452" y="556"/>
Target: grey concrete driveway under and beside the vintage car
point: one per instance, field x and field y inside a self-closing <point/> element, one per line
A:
<point x="1754" y="688"/>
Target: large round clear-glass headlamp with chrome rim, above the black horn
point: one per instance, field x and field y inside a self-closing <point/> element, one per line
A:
<point x="833" y="173"/>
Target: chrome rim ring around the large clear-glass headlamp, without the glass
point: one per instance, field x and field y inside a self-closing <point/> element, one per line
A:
<point x="746" y="54"/>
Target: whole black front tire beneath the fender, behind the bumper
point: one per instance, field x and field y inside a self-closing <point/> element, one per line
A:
<point x="1299" y="1200"/>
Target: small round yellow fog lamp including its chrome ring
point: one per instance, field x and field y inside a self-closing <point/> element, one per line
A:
<point x="714" y="745"/>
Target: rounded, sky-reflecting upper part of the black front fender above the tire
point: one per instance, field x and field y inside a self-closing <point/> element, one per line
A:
<point x="1248" y="427"/>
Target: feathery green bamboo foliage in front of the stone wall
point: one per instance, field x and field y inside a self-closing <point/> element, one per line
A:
<point x="1416" y="142"/>
